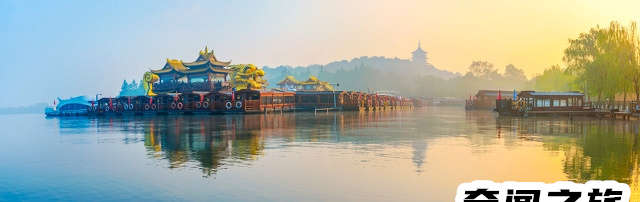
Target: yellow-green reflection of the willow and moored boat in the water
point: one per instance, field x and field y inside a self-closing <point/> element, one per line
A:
<point x="593" y="149"/>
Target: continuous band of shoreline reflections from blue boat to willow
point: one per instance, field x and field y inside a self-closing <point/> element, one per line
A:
<point x="592" y="149"/>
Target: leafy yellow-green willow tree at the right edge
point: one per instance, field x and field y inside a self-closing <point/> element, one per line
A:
<point x="604" y="62"/>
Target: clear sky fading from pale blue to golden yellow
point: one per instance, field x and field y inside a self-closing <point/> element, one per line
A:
<point x="66" y="48"/>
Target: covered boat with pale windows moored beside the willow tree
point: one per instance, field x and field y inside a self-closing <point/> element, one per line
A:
<point x="552" y="101"/>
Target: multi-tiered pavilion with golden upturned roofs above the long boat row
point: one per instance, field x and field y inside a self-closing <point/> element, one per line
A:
<point x="207" y="73"/>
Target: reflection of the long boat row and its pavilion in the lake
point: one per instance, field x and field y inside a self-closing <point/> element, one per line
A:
<point x="211" y="142"/>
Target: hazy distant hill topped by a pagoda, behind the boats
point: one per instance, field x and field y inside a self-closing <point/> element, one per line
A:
<point x="408" y="77"/>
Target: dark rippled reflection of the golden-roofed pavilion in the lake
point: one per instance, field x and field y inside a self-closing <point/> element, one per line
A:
<point x="209" y="142"/>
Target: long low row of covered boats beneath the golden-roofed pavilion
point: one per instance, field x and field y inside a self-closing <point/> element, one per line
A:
<point x="238" y="102"/>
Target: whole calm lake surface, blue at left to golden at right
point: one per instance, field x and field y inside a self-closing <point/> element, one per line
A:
<point x="419" y="155"/>
